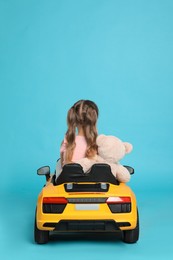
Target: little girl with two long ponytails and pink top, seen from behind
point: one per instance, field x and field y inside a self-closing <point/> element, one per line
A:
<point x="80" y="138"/>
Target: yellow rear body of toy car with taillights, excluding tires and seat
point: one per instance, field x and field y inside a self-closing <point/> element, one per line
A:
<point x="86" y="206"/>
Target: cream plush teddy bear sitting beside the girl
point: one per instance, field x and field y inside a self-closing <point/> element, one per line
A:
<point x="110" y="151"/>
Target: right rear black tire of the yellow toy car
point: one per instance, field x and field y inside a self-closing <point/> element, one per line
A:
<point x="132" y="236"/>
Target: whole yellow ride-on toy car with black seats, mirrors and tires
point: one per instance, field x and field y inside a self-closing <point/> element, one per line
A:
<point x="85" y="202"/>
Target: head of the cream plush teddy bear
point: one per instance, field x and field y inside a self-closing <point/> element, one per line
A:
<point x="112" y="149"/>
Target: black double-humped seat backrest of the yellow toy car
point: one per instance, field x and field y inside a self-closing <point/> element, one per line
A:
<point x="74" y="173"/>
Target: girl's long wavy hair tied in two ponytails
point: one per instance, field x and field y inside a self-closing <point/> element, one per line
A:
<point x="83" y="113"/>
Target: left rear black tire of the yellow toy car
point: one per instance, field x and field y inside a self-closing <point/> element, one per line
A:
<point x="40" y="236"/>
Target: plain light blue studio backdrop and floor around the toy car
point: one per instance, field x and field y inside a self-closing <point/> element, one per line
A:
<point x="116" y="53"/>
